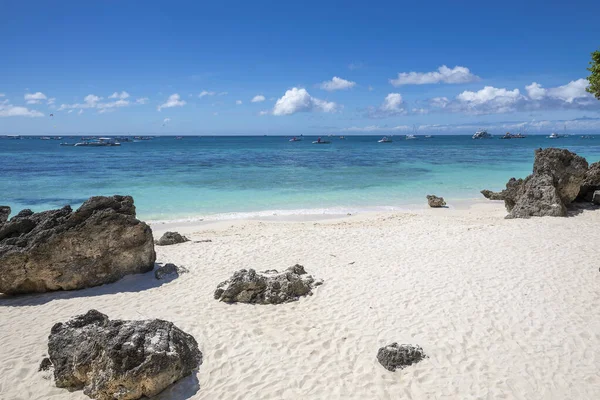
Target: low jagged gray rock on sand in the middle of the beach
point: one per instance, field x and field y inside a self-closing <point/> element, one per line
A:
<point x="268" y="287"/>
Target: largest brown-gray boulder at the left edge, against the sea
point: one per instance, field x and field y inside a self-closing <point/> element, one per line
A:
<point x="63" y="250"/>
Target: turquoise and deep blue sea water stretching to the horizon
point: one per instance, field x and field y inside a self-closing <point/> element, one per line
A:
<point x="203" y="176"/>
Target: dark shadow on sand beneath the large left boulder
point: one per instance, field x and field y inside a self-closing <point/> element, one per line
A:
<point x="129" y="283"/>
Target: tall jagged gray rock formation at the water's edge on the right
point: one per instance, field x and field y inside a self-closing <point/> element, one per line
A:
<point x="553" y="185"/>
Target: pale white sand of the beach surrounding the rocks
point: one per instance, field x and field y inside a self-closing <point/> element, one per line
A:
<point x="505" y="309"/>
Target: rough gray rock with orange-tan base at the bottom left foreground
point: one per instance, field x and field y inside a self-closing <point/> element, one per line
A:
<point x="120" y="359"/>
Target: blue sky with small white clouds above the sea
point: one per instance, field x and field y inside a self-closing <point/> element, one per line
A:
<point x="321" y="67"/>
